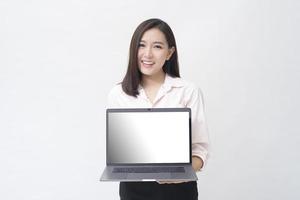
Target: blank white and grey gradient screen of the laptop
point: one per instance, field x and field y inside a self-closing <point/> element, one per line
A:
<point x="141" y="136"/>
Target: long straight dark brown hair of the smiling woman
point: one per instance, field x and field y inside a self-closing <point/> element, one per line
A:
<point x="133" y="76"/>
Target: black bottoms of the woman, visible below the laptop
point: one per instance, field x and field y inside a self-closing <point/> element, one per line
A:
<point x="156" y="191"/>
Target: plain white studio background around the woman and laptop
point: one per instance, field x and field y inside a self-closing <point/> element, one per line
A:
<point x="59" y="59"/>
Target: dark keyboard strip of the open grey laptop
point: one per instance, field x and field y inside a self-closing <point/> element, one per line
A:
<point x="148" y="170"/>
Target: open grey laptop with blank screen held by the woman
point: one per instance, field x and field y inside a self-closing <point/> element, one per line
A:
<point x="148" y="144"/>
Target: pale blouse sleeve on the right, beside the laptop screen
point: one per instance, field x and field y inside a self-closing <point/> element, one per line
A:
<point x="200" y="139"/>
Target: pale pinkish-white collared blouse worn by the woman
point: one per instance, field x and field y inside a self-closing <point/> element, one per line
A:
<point x="174" y="92"/>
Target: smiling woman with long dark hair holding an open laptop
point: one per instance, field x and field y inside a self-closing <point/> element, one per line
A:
<point x="153" y="80"/>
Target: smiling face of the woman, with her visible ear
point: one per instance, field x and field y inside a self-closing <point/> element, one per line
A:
<point x="153" y="52"/>
